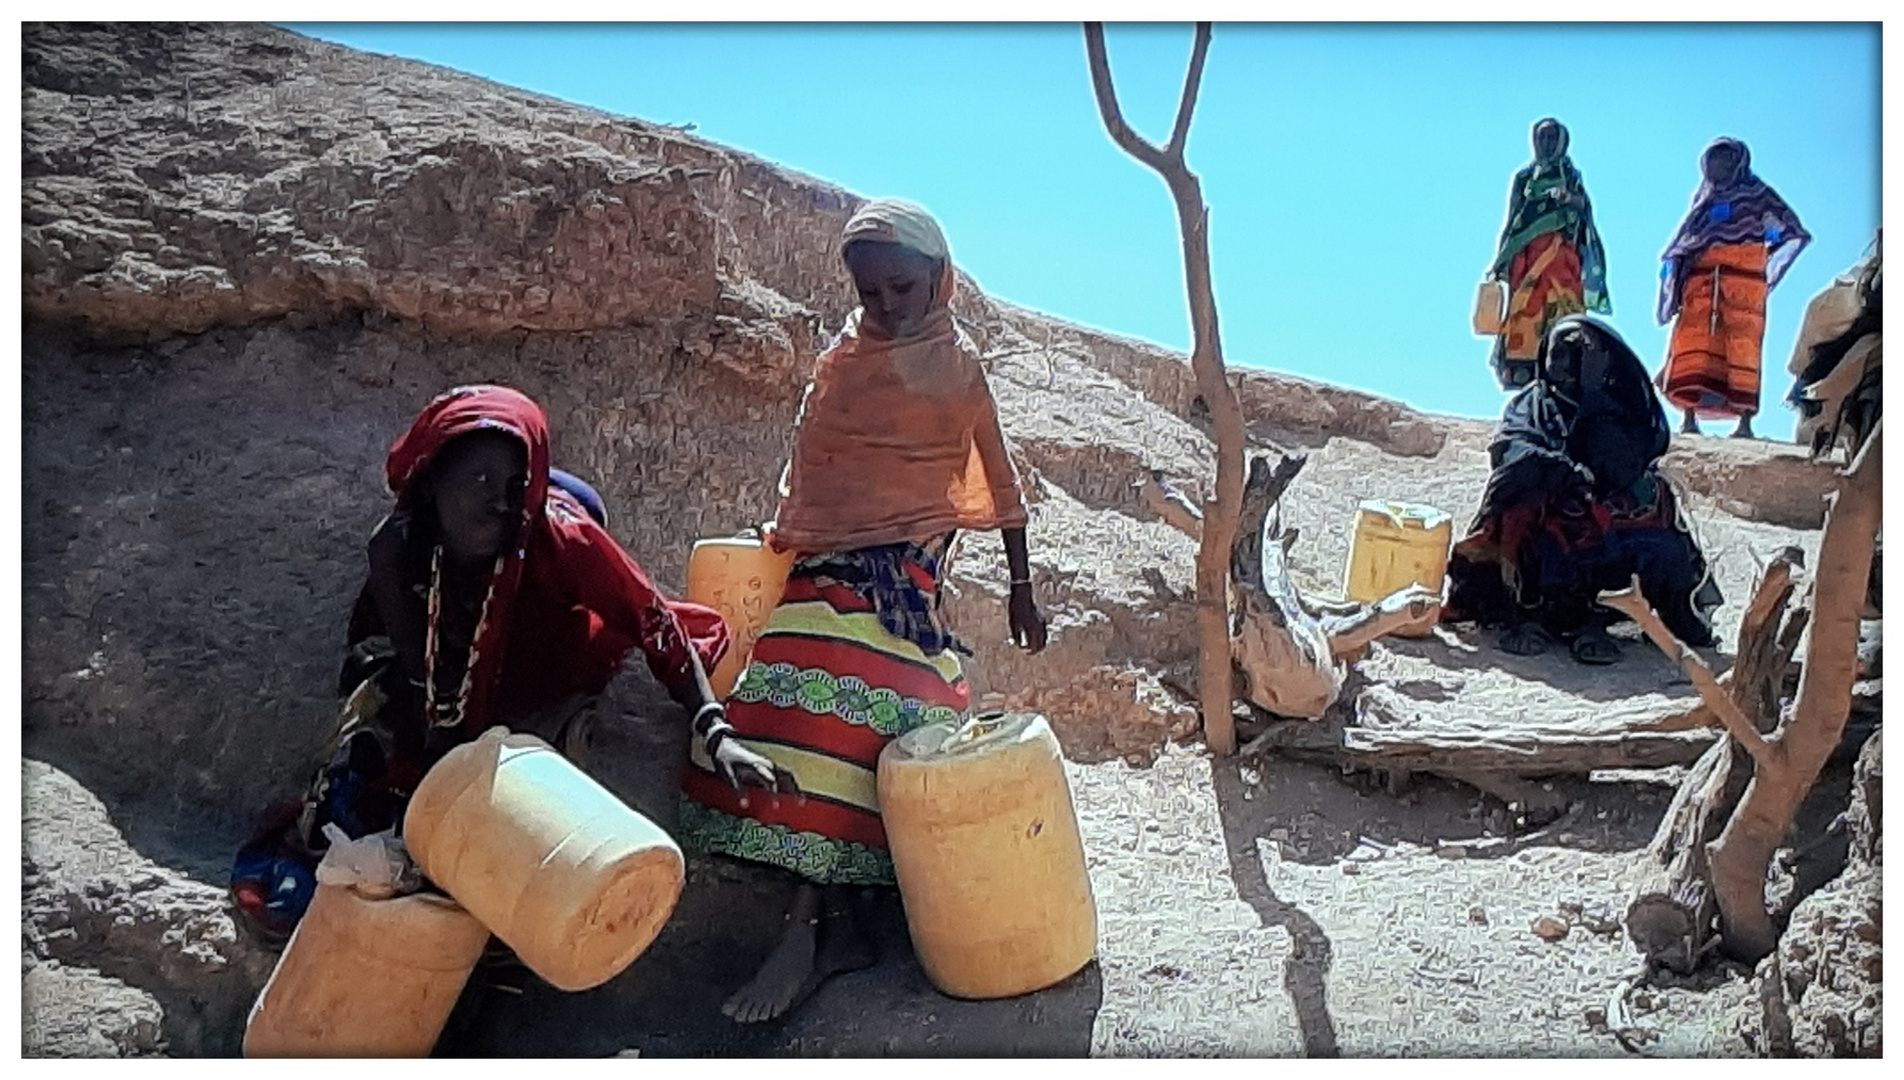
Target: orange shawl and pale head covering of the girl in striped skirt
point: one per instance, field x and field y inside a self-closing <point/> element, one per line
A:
<point x="896" y="439"/>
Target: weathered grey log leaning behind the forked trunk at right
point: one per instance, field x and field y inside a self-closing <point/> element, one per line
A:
<point x="1673" y="915"/>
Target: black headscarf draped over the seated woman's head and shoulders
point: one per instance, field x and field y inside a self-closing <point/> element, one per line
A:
<point x="1587" y="426"/>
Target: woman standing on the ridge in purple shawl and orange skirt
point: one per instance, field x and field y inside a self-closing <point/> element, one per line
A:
<point x="1734" y="247"/>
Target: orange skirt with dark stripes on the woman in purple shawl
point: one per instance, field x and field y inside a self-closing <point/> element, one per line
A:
<point x="1713" y="363"/>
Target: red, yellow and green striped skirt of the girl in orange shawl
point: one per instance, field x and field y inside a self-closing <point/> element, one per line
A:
<point x="825" y="690"/>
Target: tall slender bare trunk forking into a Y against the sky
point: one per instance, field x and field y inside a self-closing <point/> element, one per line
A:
<point x="1206" y="361"/>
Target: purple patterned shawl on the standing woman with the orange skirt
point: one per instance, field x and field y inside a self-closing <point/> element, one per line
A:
<point x="1732" y="207"/>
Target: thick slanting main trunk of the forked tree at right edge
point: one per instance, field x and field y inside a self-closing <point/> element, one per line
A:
<point x="1808" y="738"/>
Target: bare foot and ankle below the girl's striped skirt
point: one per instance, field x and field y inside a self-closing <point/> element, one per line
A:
<point x="814" y="948"/>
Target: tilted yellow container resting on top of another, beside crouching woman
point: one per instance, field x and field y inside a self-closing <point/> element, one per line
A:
<point x="553" y="864"/>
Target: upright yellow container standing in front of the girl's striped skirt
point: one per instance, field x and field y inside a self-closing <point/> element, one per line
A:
<point x="987" y="852"/>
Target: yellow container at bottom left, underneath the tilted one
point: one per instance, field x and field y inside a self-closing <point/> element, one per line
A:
<point x="367" y="978"/>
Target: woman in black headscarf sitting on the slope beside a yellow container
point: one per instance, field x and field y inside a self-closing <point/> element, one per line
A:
<point x="1577" y="506"/>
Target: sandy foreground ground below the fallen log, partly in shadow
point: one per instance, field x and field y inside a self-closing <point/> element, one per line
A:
<point x="1246" y="908"/>
